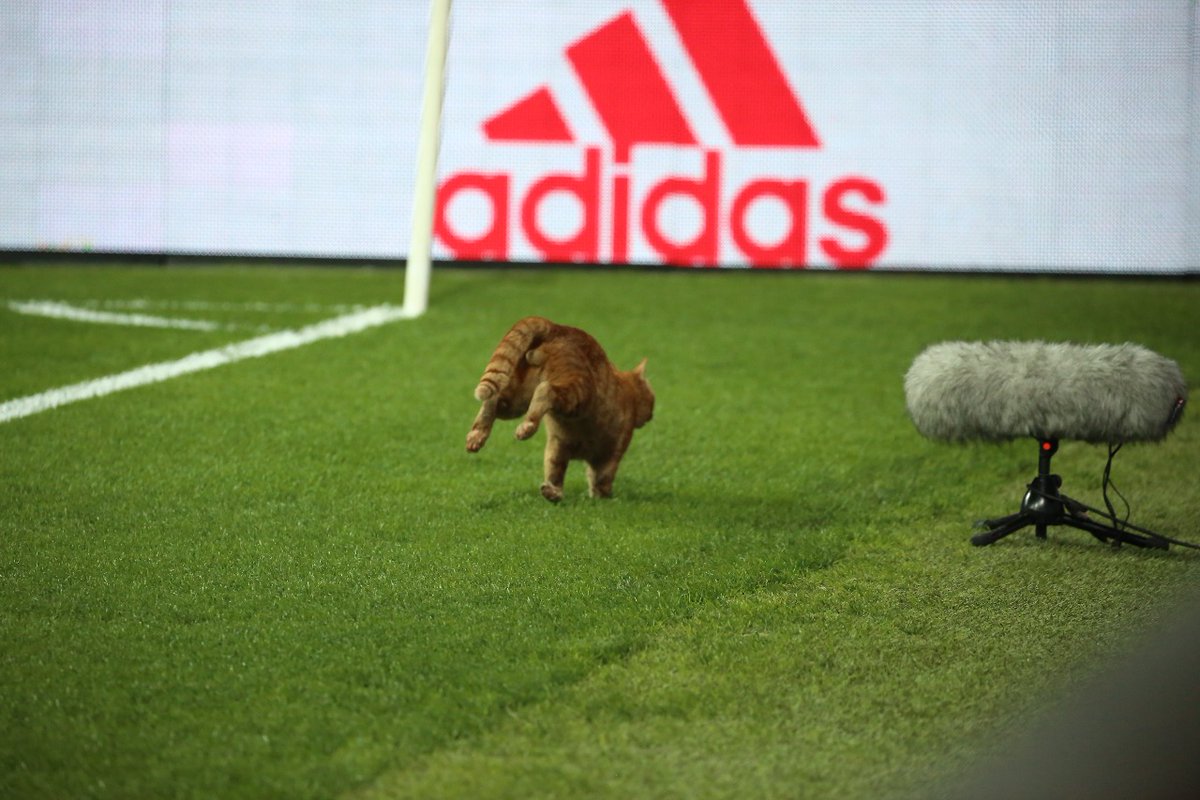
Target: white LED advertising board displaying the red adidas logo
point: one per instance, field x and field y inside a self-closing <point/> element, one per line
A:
<point x="1024" y="136"/>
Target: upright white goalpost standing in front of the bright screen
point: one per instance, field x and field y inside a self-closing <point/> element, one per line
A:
<point x="417" y="273"/>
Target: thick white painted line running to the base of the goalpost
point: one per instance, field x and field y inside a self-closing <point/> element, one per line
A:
<point x="153" y="374"/>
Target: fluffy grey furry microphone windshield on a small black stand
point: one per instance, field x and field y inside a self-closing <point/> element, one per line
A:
<point x="1105" y="394"/>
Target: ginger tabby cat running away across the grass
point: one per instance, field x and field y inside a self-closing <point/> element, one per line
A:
<point x="561" y="375"/>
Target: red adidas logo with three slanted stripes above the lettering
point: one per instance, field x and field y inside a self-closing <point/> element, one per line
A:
<point x="637" y="106"/>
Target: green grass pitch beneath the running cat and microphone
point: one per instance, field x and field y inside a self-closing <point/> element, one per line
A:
<point x="286" y="579"/>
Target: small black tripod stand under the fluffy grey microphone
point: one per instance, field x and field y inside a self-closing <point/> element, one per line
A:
<point x="1045" y="506"/>
